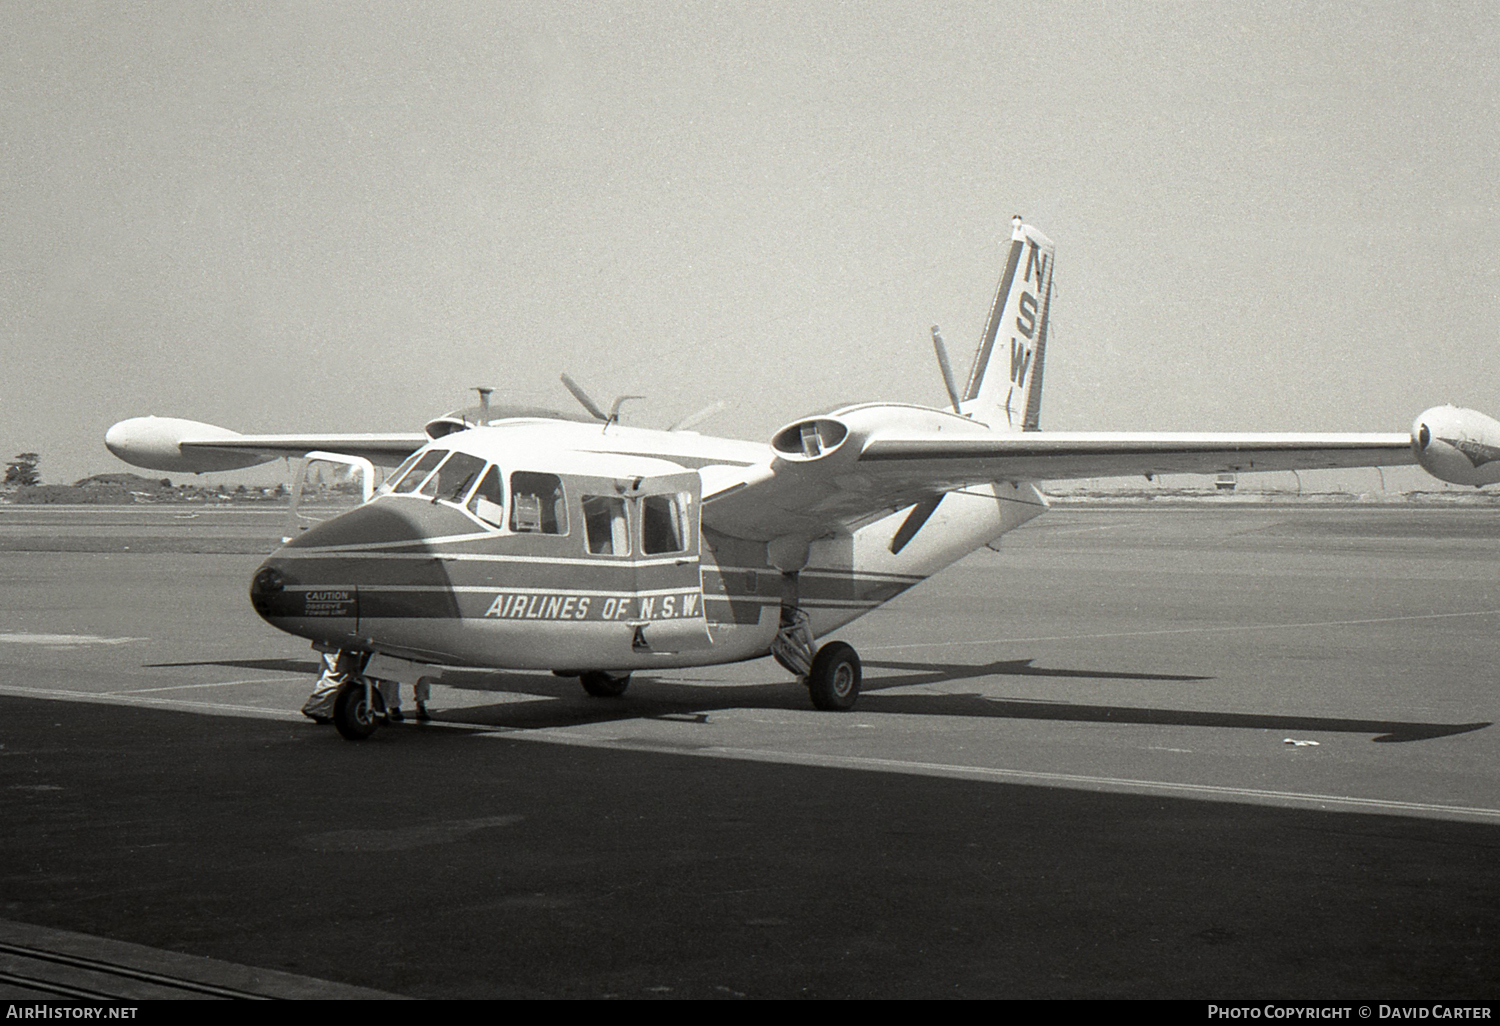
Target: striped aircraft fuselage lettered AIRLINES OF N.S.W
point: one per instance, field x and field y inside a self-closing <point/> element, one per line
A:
<point x="595" y="557"/>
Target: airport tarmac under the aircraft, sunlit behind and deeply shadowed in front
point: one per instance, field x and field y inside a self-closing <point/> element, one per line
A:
<point x="1193" y="752"/>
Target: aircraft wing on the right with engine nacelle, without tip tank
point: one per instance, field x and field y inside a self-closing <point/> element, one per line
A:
<point x="859" y="464"/>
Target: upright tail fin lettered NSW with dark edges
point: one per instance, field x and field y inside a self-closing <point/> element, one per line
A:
<point x="1018" y="329"/>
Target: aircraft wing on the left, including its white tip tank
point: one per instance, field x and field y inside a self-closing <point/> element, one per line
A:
<point x="188" y="446"/>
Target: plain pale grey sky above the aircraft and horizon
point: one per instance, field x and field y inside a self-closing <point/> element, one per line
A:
<point x="313" y="217"/>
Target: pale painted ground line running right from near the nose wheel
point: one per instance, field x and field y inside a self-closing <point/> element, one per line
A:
<point x="1072" y="781"/>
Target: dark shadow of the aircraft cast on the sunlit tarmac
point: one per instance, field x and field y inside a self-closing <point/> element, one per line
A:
<point x="560" y="703"/>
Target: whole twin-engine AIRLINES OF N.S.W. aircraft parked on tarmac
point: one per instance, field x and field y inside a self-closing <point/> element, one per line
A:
<point x="527" y="539"/>
